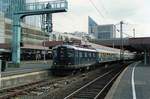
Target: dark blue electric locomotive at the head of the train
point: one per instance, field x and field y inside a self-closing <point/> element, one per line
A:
<point x="68" y="57"/>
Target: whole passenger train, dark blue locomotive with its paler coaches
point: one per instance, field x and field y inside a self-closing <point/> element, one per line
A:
<point x="68" y="57"/>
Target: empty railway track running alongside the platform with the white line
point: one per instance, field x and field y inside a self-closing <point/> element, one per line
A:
<point x="96" y="88"/>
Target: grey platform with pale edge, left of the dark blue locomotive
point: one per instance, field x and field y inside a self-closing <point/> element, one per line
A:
<point x="29" y="71"/>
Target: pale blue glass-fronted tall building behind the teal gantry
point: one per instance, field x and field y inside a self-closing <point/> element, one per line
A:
<point x="7" y="6"/>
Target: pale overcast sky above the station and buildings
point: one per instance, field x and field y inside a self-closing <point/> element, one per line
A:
<point x="133" y="12"/>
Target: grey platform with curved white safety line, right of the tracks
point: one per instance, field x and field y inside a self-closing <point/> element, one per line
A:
<point x="133" y="83"/>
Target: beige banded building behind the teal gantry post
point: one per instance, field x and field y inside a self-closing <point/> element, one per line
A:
<point x="31" y="40"/>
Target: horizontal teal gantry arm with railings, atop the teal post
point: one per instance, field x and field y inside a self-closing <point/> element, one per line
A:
<point x="43" y="7"/>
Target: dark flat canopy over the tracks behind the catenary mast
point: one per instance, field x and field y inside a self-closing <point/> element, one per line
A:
<point x="133" y="44"/>
